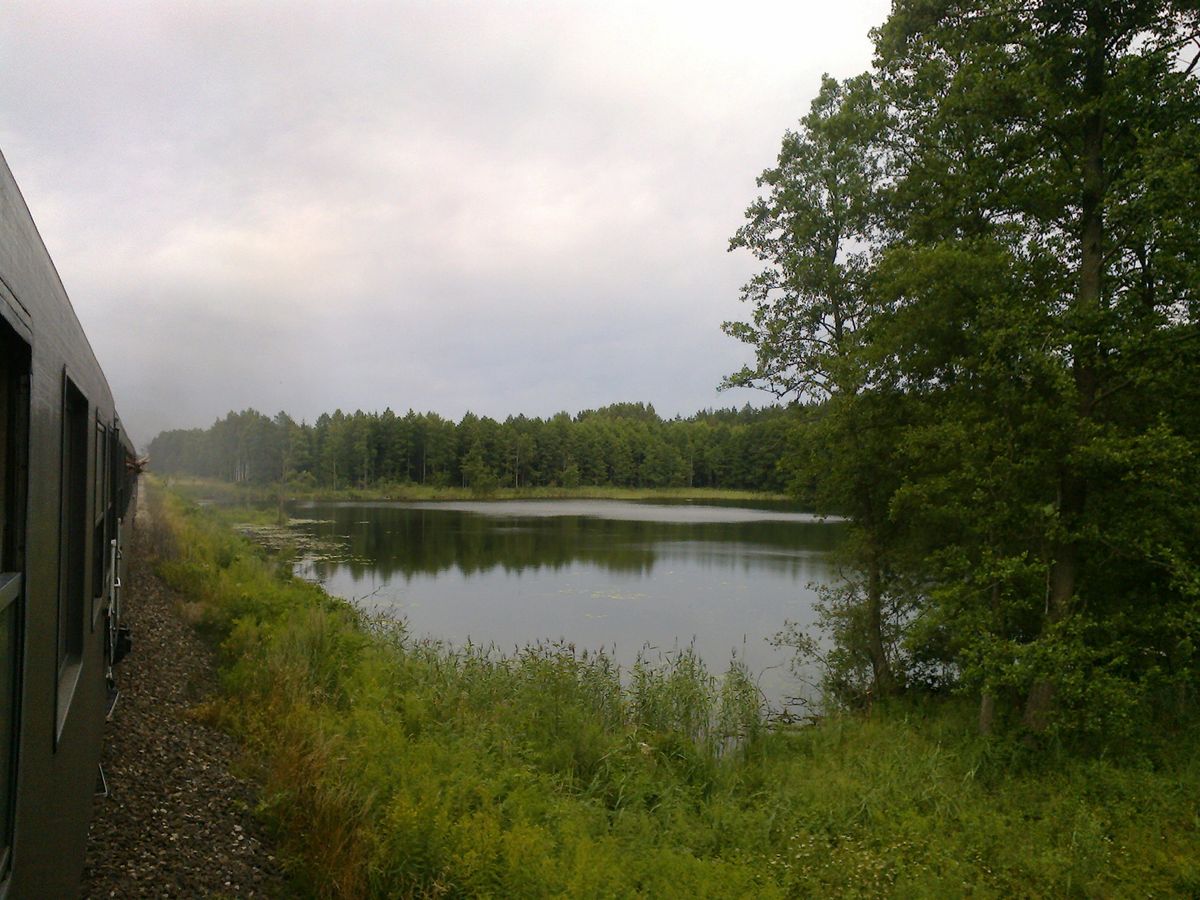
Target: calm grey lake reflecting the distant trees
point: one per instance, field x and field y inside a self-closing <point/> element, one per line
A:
<point x="629" y="578"/>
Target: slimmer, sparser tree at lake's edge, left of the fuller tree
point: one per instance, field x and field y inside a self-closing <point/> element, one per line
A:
<point x="818" y="231"/>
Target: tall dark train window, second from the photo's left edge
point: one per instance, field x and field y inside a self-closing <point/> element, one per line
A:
<point x="74" y="537"/>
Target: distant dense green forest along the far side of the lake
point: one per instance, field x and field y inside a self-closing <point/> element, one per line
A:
<point x="623" y="446"/>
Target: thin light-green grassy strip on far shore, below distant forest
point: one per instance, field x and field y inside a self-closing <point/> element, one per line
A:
<point x="226" y="491"/>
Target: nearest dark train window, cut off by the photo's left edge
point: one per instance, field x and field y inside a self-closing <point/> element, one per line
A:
<point x="14" y="477"/>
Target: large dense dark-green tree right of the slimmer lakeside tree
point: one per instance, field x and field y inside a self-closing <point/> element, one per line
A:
<point x="1043" y="279"/>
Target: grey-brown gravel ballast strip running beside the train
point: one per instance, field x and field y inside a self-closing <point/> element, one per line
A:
<point x="178" y="823"/>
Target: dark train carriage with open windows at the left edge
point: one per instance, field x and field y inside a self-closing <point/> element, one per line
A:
<point x="65" y="489"/>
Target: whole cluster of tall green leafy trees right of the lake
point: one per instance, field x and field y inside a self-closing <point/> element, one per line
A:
<point x="981" y="259"/>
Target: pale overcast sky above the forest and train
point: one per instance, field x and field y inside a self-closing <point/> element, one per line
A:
<point x="506" y="208"/>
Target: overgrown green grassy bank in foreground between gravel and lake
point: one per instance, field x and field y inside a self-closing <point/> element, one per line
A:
<point x="394" y="767"/>
